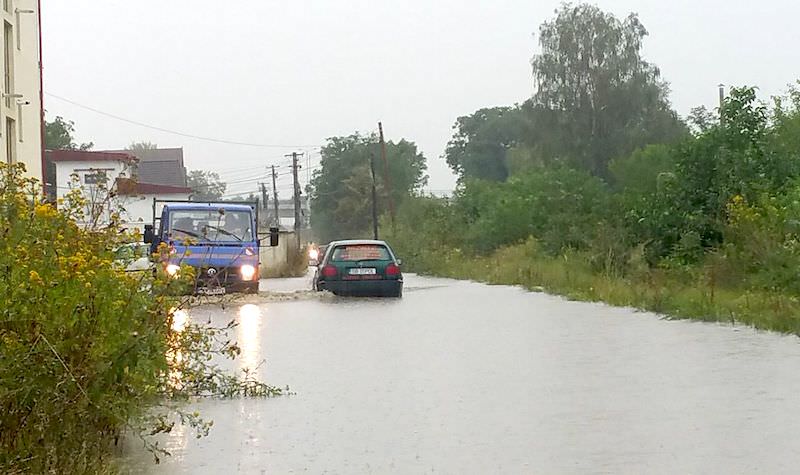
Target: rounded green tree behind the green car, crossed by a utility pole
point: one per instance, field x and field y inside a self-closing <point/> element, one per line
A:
<point x="340" y="190"/>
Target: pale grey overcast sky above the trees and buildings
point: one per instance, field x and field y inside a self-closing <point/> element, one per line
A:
<point x="293" y="73"/>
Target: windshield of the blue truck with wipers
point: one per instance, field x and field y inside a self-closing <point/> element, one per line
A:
<point x="211" y="225"/>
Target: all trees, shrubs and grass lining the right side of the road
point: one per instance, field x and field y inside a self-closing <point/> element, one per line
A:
<point x="594" y="188"/>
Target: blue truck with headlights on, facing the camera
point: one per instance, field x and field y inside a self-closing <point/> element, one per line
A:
<point x="219" y="240"/>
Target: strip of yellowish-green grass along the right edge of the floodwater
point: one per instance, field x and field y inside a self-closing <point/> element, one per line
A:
<point x="672" y="293"/>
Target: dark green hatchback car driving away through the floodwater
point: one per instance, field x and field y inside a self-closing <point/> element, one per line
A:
<point x="359" y="267"/>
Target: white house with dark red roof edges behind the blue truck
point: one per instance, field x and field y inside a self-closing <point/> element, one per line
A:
<point x="98" y="173"/>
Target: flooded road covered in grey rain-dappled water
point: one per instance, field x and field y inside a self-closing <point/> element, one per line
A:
<point x="459" y="377"/>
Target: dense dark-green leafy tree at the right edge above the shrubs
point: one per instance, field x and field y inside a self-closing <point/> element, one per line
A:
<point x="743" y="155"/>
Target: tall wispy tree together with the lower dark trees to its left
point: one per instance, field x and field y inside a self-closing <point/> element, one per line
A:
<point x="596" y="100"/>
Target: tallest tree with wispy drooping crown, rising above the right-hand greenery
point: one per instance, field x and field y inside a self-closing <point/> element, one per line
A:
<point x="608" y="99"/>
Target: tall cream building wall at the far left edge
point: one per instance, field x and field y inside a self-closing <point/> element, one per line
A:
<point x="21" y="117"/>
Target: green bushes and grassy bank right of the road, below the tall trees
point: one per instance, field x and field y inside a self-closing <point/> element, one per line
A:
<point x="707" y="228"/>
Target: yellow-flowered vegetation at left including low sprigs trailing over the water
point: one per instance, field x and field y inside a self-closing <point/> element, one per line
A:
<point x="90" y="353"/>
